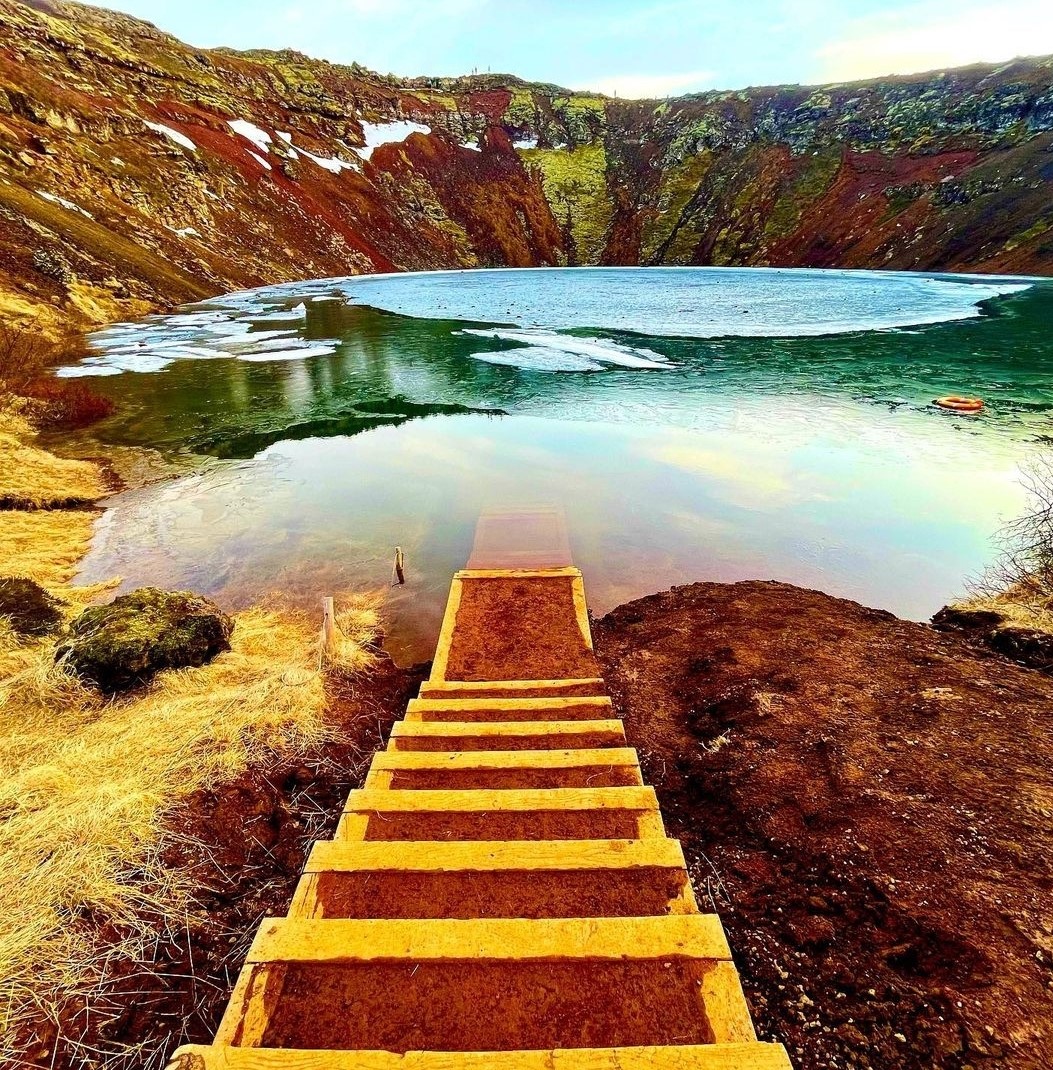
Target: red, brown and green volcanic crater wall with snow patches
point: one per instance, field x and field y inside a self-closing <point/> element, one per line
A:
<point x="138" y="172"/>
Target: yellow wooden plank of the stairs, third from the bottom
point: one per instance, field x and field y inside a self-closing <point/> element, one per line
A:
<point x="490" y="855"/>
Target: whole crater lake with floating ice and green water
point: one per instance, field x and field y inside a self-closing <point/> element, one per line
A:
<point x="693" y="423"/>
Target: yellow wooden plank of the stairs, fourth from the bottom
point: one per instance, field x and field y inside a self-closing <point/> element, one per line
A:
<point x="481" y="801"/>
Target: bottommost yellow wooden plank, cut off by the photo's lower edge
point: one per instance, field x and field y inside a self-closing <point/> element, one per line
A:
<point x="745" y="1057"/>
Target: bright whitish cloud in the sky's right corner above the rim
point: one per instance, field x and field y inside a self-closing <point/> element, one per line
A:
<point x="937" y="36"/>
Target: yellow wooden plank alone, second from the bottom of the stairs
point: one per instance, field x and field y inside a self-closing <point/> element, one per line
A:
<point x="698" y="937"/>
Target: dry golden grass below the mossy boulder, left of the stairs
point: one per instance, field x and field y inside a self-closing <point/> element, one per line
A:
<point x="85" y="787"/>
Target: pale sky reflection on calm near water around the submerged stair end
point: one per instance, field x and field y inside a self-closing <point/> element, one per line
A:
<point x="861" y="518"/>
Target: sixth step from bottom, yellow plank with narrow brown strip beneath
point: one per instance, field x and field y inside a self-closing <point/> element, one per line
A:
<point x="506" y="736"/>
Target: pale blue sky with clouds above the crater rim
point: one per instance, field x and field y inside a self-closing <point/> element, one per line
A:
<point x="624" y="48"/>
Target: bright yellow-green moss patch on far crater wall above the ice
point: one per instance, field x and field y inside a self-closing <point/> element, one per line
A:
<point x="575" y="185"/>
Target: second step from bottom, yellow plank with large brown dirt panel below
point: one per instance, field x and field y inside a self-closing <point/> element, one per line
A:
<point x="489" y="985"/>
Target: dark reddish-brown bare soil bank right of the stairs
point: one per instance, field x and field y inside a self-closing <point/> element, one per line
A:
<point x="867" y="802"/>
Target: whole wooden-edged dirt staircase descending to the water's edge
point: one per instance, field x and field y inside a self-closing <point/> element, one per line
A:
<point x="501" y="894"/>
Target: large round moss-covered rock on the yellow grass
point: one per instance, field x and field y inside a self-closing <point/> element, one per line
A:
<point x="127" y="643"/>
